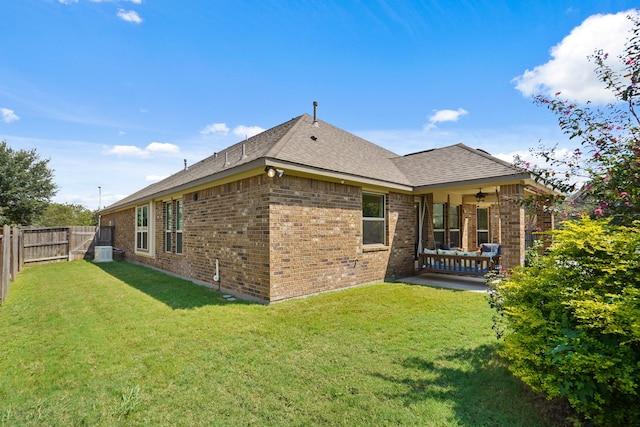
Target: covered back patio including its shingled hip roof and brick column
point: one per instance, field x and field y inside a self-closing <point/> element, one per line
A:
<point x="466" y="197"/>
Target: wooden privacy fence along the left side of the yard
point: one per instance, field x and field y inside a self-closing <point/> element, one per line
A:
<point x="50" y="244"/>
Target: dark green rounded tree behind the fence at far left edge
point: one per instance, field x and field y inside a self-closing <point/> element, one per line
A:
<point x="26" y="185"/>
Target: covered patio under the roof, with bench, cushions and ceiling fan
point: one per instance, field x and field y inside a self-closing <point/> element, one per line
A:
<point x="460" y="223"/>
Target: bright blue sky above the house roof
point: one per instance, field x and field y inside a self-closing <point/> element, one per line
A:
<point x="116" y="93"/>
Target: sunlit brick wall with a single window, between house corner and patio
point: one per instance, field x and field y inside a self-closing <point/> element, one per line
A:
<point x="316" y="238"/>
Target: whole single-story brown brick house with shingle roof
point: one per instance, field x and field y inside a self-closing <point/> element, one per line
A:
<point x="306" y="207"/>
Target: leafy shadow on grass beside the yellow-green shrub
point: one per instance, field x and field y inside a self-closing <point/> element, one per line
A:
<point x="480" y="388"/>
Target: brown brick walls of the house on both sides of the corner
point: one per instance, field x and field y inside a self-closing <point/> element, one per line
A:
<point x="279" y="238"/>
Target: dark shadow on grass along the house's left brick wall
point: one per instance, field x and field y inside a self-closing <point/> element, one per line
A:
<point x="177" y="293"/>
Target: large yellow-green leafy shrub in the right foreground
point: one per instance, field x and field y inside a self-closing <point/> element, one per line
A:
<point x="572" y="320"/>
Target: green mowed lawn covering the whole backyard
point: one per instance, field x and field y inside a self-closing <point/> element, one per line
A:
<point x="119" y="344"/>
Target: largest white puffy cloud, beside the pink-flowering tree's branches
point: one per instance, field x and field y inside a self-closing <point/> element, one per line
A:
<point x="569" y="70"/>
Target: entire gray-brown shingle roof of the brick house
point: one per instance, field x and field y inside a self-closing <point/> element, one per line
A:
<point x="327" y="148"/>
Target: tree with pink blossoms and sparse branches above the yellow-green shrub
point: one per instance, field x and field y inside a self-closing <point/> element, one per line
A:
<point x="607" y="162"/>
